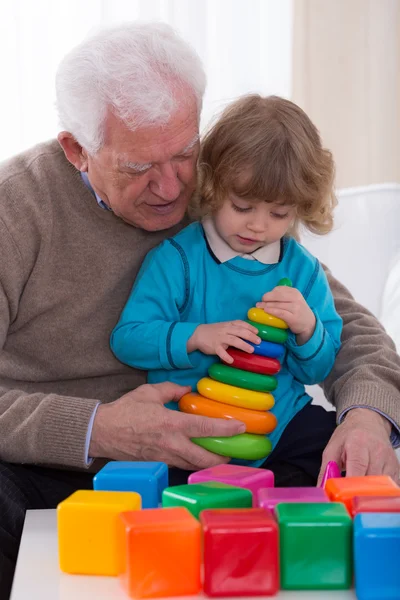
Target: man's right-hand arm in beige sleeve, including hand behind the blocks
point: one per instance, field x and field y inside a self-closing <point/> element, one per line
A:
<point x="364" y="385"/>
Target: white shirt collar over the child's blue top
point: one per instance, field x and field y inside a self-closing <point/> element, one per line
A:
<point x="268" y="255"/>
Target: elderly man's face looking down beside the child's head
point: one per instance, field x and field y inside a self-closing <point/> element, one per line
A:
<point x="148" y="176"/>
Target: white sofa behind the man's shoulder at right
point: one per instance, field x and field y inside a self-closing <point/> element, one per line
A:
<point x="363" y="252"/>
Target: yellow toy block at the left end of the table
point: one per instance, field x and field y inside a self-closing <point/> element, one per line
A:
<point x="87" y="530"/>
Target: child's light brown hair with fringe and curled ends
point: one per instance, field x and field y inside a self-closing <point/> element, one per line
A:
<point x="267" y="149"/>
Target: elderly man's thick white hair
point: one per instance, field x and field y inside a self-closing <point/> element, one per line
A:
<point x="142" y="72"/>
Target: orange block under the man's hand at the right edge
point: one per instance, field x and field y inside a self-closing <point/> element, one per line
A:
<point x="344" y="489"/>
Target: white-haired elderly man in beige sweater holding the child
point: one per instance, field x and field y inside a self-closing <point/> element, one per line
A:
<point x="77" y="217"/>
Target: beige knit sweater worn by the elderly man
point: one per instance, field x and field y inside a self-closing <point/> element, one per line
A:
<point x="66" y="269"/>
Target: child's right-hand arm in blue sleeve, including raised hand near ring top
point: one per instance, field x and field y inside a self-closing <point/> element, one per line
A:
<point x="311" y="354"/>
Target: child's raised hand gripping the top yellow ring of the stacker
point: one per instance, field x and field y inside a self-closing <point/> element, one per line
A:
<point x="288" y="304"/>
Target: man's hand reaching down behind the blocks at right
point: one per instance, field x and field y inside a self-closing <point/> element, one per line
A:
<point x="361" y="446"/>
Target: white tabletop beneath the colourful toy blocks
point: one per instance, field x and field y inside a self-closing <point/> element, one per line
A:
<point x="38" y="577"/>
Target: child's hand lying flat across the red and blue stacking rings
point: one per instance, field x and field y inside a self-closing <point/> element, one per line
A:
<point x="216" y="337"/>
